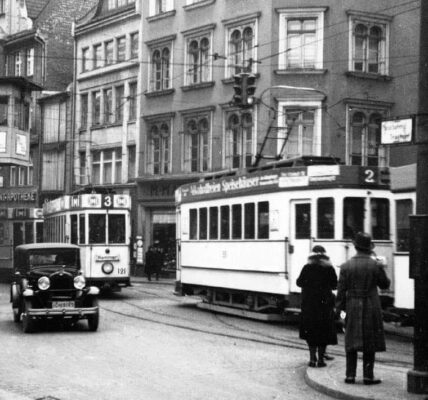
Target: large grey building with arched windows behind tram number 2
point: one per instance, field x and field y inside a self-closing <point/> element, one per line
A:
<point x="326" y="77"/>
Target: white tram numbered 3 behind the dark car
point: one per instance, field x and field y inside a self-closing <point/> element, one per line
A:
<point x="100" y="225"/>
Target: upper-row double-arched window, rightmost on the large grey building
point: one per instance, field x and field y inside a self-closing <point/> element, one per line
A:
<point x="369" y="45"/>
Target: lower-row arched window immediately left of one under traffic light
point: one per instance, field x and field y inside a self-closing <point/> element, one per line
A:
<point x="197" y="130"/>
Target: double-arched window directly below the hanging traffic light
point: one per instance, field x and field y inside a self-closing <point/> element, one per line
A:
<point x="239" y="140"/>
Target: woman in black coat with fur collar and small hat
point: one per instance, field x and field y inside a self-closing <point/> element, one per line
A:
<point x="317" y="326"/>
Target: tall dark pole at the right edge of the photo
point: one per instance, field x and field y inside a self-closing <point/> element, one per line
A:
<point x="417" y="379"/>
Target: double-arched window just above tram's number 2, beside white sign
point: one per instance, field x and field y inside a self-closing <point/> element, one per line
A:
<point x="364" y="143"/>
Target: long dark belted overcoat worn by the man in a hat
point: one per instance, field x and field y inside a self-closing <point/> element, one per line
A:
<point x="357" y="295"/>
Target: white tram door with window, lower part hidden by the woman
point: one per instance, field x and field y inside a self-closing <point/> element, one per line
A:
<point x="300" y="239"/>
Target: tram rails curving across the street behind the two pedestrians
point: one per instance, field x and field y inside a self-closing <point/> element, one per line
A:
<point x="239" y="332"/>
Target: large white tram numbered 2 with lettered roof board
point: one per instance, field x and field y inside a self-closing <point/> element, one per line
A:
<point x="243" y="237"/>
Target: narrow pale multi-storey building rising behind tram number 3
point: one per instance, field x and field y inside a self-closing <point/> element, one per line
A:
<point x="107" y="122"/>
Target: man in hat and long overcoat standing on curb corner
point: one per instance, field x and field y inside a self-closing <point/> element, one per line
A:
<point x="357" y="295"/>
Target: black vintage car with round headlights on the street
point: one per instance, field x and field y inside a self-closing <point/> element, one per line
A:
<point x="47" y="283"/>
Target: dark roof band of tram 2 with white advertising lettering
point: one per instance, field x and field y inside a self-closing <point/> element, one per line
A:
<point x="302" y="174"/>
